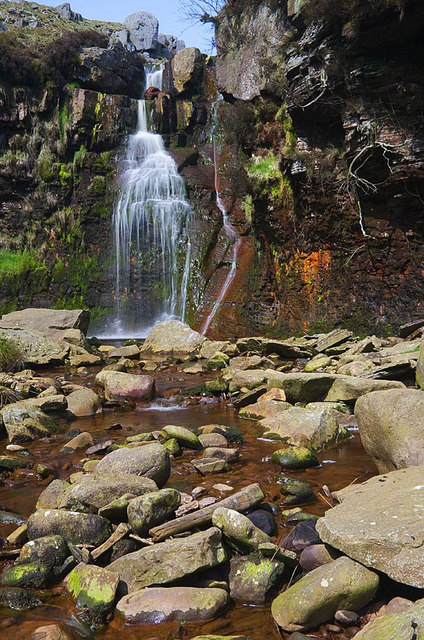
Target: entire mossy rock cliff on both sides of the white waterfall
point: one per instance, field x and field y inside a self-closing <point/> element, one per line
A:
<point x="318" y="146"/>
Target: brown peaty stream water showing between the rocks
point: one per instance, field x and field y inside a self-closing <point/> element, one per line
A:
<point x="341" y="465"/>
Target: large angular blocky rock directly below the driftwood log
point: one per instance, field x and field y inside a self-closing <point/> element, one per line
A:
<point x="172" y="560"/>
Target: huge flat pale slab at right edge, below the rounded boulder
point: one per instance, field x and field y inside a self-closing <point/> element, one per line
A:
<point x="380" y="523"/>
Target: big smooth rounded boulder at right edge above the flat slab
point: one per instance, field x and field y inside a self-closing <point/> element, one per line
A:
<point x="391" y="424"/>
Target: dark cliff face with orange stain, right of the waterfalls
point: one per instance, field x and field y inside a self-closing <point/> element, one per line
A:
<point x="327" y="98"/>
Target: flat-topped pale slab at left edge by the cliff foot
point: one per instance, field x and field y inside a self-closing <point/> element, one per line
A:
<point x="50" y="323"/>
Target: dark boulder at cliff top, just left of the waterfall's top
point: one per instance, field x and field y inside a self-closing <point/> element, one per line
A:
<point x="114" y="70"/>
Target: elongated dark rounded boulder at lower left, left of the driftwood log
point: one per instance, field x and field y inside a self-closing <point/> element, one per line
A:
<point x="77" y="528"/>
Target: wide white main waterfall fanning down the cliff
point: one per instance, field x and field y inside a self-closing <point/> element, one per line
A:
<point x="150" y="222"/>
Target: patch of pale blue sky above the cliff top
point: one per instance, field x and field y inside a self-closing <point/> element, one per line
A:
<point x="167" y="12"/>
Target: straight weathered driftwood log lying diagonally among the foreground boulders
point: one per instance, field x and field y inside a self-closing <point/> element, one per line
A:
<point x="241" y="501"/>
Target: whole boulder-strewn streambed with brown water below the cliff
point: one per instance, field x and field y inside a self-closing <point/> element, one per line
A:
<point x="186" y="488"/>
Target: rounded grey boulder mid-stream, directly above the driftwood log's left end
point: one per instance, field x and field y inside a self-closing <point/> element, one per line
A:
<point x="149" y="460"/>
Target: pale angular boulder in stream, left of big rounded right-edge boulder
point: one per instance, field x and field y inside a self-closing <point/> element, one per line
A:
<point x="317" y="427"/>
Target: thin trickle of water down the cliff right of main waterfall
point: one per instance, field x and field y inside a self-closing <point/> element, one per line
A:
<point x="231" y="234"/>
